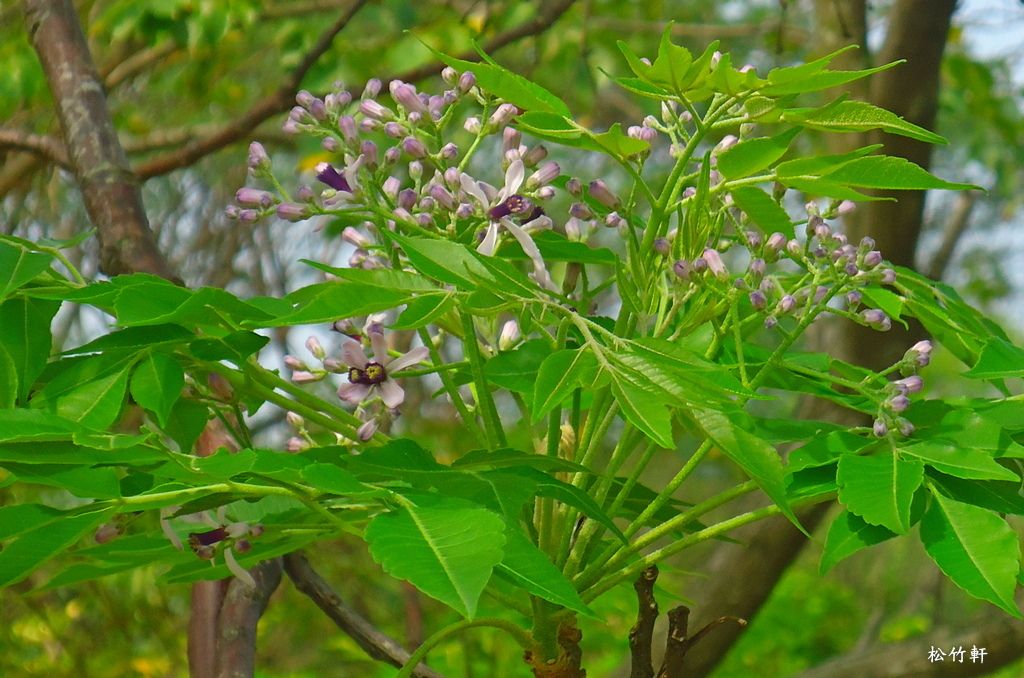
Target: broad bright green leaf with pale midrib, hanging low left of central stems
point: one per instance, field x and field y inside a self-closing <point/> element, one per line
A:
<point x="447" y="548"/>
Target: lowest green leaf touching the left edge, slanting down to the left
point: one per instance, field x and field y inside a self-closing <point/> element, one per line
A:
<point x="30" y="552"/>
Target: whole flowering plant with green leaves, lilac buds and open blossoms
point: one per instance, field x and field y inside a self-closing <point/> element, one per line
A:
<point x="580" y="327"/>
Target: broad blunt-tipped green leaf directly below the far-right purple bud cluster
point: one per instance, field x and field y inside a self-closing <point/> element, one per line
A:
<point x="880" y="489"/>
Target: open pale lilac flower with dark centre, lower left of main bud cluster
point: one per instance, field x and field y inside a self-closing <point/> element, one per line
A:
<point x="368" y="378"/>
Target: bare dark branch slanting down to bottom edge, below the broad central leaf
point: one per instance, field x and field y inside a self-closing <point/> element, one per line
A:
<point x="376" y="644"/>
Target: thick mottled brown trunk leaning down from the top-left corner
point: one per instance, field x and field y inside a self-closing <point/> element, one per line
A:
<point x="110" y="190"/>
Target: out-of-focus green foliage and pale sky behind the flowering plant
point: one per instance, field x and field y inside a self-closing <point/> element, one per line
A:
<point x="178" y="71"/>
